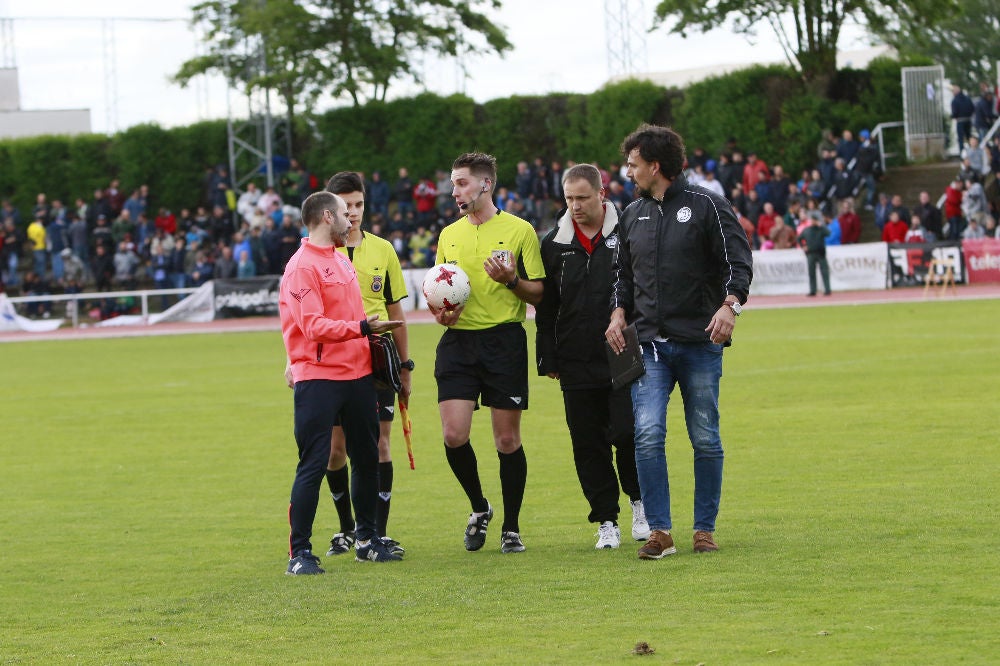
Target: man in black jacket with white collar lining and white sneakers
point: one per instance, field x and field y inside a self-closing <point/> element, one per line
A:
<point x="570" y="323"/>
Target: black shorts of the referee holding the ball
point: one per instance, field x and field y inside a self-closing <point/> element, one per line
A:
<point x="492" y="363"/>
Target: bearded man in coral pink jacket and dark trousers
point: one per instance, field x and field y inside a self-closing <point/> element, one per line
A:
<point x="325" y="331"/>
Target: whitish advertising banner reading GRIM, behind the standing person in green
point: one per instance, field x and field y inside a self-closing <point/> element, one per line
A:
<point x="852" y="267"/>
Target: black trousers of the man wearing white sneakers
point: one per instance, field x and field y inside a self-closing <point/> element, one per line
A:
<point x="600" y="420"/>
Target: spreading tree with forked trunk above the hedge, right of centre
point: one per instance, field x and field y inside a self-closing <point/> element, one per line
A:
<point x="807" y="30"/>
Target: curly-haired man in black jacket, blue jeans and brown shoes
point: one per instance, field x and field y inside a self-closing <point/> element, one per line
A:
<point x="682" y="271"/>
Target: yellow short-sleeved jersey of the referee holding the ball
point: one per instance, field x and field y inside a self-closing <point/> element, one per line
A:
<point x="468" y="246"/>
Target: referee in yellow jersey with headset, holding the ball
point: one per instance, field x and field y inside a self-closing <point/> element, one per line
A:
<point x="484" y="353"/>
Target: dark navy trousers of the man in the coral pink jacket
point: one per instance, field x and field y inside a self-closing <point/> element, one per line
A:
<point x="318" y="403"/>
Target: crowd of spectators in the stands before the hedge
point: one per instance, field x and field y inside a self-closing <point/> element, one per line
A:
<point x="119" y="239"/>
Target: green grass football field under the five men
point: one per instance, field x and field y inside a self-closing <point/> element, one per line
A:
<point x="145" y="487"/>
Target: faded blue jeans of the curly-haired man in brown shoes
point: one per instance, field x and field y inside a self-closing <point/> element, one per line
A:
<point x="697" y="368"/>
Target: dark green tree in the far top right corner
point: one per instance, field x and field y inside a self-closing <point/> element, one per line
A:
<point x="965" y="42"/>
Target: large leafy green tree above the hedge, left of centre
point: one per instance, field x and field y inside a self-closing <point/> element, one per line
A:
<point x="343" y="48"/>
